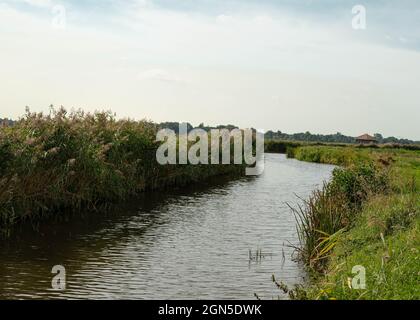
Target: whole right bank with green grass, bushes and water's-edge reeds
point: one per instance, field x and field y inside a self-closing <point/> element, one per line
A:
<point x="367" y="215"/>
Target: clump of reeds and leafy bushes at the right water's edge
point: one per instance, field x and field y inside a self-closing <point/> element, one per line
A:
<point x="330" y="210"/>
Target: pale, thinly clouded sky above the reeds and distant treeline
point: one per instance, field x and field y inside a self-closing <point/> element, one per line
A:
<point x="286" y="65"/>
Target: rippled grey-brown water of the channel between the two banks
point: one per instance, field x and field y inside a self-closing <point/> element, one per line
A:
<point x="189" y="244"/>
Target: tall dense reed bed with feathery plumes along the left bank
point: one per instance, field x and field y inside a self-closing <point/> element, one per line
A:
<point x="69" y="162"/>
